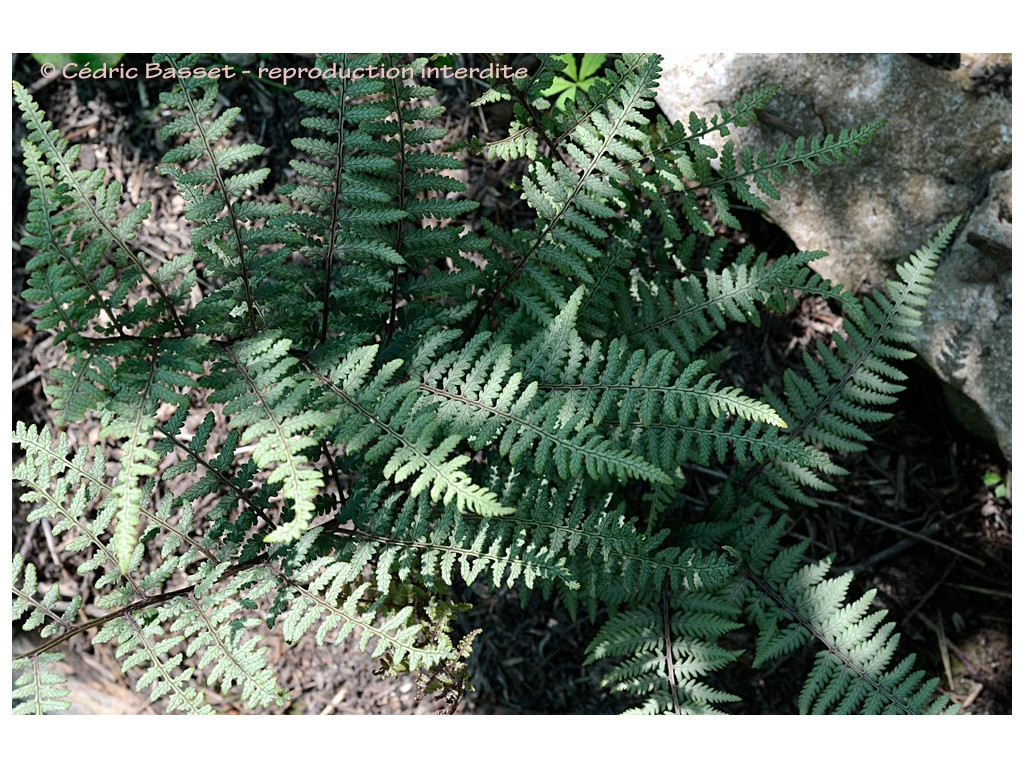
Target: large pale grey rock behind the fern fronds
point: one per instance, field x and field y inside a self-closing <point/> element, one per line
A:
<point x="934" y="160"/>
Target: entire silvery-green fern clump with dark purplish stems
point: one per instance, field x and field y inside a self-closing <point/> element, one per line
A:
<point x="343" y="407"/>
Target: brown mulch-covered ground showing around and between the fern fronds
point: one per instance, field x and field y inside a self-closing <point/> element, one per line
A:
<point x="914" y="518"/>
